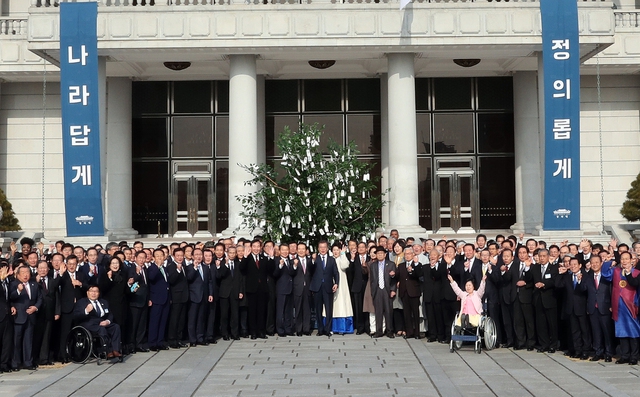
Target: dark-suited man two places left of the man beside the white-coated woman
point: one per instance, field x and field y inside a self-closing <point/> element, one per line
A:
<point x="284" y="273"/>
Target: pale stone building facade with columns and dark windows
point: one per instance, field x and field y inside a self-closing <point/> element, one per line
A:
<point x="443" y="97"/>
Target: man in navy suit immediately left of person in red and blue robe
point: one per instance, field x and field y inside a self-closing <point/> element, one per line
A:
<point x="597" y="283"/>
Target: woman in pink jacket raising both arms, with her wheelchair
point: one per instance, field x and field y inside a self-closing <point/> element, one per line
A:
<point x="470" y="324"/>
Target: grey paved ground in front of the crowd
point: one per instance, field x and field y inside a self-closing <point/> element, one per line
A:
<point x="341" y="366"/>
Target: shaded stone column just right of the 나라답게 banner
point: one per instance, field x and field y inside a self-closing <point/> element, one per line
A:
<point x="118" y="192"/>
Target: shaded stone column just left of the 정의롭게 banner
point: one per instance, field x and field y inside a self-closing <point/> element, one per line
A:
<point x="527" y="152"/>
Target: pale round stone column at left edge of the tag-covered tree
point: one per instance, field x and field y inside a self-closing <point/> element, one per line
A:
<point x="243" y="133"/>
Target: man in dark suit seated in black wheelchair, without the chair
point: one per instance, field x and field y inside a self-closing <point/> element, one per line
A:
<point x="93" y="314"/>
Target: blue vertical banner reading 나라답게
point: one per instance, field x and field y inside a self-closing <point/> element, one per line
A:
<point x="80" y="118"/>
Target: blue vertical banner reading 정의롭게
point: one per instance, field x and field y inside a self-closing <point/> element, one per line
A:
<point x="561" y="63"/>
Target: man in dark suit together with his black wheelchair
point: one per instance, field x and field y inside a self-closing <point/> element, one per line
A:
<point x="95" y="332"/>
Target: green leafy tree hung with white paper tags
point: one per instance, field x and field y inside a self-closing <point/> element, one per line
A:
<point x="316" y="196"/>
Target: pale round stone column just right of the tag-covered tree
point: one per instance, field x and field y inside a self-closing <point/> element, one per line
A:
<point x="403" y="151"/>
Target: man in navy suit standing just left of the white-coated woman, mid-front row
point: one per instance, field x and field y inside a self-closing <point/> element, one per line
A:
<point x="323" y="284"/>
